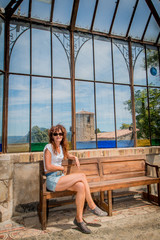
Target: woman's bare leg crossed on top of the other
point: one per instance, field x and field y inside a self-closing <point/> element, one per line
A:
<point x="68" y="181"/>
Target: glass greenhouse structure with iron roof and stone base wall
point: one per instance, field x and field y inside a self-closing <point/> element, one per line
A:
<point x="92" y="66"/>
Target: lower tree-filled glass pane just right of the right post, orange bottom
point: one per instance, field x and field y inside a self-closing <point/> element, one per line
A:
<point x="142" y="120"/>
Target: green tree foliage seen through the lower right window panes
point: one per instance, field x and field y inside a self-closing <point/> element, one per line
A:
<point x="142" y="113"/>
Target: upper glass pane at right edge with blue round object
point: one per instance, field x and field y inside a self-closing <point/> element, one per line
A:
<point x="153" y="66"/>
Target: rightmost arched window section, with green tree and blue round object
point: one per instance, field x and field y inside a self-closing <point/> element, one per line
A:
<point x="146" y="94"/>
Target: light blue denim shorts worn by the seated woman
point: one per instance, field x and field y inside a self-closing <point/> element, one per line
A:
<point x="52" y="179"/>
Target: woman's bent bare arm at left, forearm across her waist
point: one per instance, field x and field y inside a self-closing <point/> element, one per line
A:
<point x="49" y="166"/>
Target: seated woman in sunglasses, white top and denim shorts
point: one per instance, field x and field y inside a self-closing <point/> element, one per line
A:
<point x="54" y="153"/>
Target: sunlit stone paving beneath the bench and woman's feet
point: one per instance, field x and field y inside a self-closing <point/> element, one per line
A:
<point x="133" y="219"/>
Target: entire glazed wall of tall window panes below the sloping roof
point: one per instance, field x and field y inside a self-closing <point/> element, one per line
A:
<point x="40" y="90"/>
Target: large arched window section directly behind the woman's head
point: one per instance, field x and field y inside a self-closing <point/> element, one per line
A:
<point x="36" y="98"/>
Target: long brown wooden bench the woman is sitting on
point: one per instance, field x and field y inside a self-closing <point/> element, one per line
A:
<point x="104" y="174"/>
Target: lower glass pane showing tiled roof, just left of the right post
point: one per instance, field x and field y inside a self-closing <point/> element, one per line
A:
<point x="124" y="116"/>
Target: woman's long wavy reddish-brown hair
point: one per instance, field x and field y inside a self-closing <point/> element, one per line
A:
<point x="64" y="142"/>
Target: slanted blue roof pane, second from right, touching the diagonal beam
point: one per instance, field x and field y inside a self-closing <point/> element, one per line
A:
<point x="139" y="20"/>
